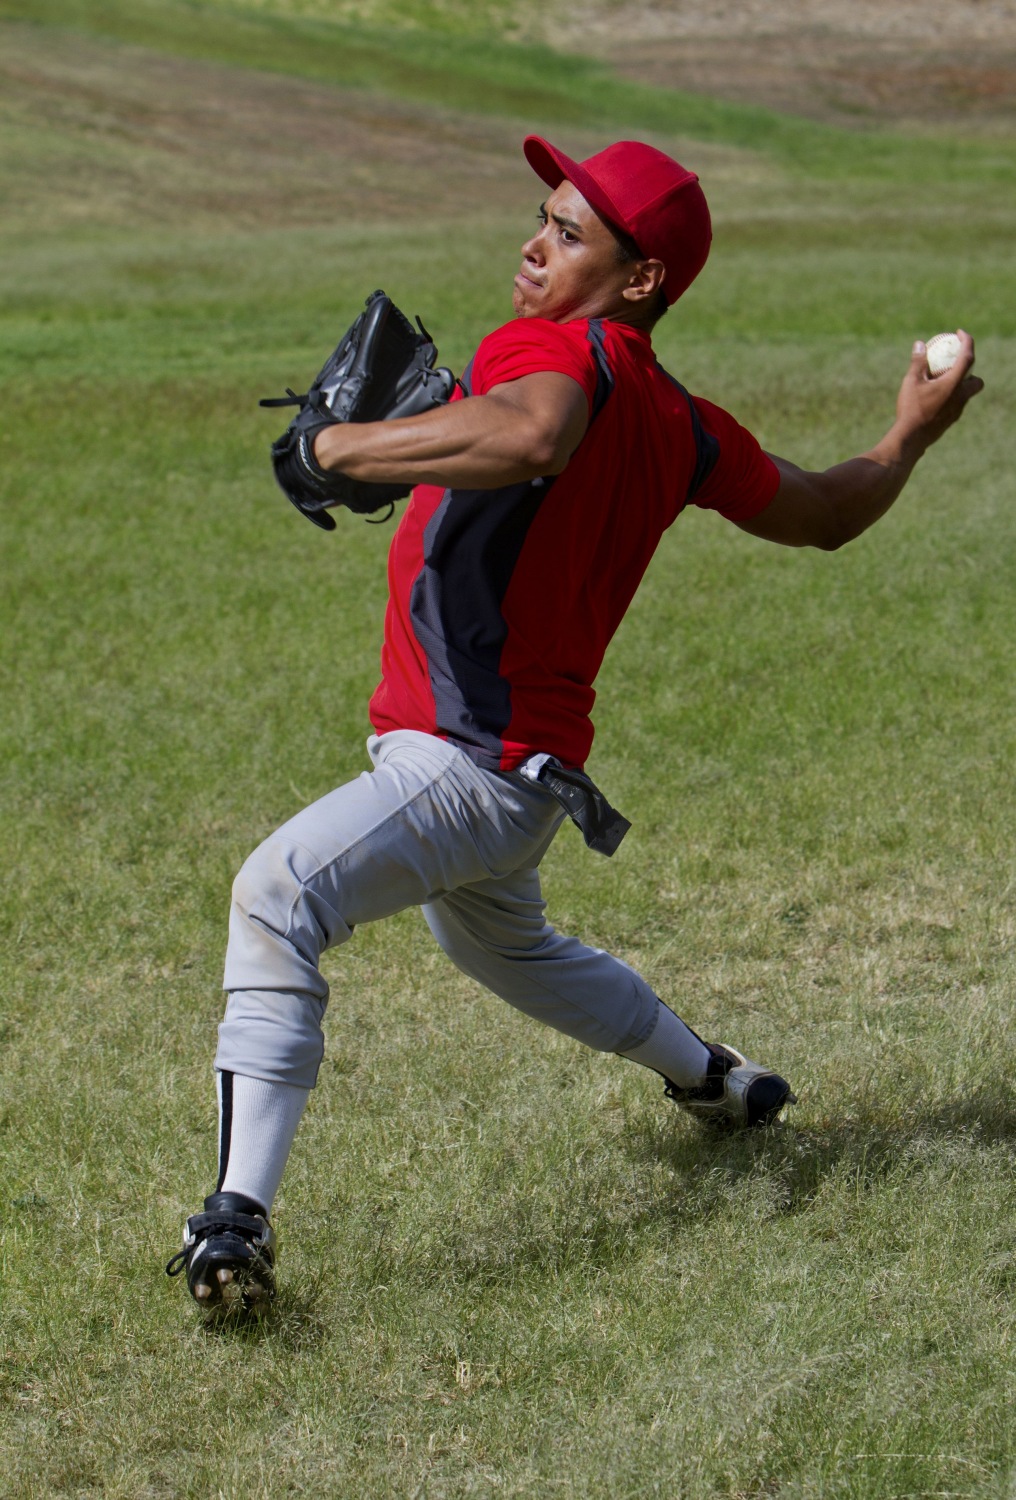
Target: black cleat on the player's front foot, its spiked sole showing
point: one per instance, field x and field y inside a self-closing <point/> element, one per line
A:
<point x="229" y="1255"/>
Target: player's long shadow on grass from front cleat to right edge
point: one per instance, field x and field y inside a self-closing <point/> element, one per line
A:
<point x="511" y="1232"/>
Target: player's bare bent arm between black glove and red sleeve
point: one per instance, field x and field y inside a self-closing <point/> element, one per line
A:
<point x="482" y="443"/>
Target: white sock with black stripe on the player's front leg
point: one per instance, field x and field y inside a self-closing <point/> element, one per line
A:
<point x="257" y="1126"/>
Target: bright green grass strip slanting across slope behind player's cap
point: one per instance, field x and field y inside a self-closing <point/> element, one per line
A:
<point x="513" y="80"/>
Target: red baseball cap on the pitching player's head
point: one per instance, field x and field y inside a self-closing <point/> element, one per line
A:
<point x="646" y="194"/>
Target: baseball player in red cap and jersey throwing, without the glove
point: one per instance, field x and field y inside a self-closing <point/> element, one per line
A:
<point x="541" y="493"/>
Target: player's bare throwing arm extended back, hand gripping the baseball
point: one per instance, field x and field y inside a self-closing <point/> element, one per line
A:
<point x="826" y="509"/>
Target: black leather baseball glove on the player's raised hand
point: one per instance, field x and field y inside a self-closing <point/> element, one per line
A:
<point x="382" y="370"/>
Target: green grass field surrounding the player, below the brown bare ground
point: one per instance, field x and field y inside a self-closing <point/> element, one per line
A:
<point x="508" y="1268"/>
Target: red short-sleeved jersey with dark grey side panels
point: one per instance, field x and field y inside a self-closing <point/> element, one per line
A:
<point x="503" y="601"/>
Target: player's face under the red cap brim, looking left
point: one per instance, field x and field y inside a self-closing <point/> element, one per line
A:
<point x="570" y="268"/>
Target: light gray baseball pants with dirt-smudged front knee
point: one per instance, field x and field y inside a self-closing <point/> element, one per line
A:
<point x="425" y="829"/>
